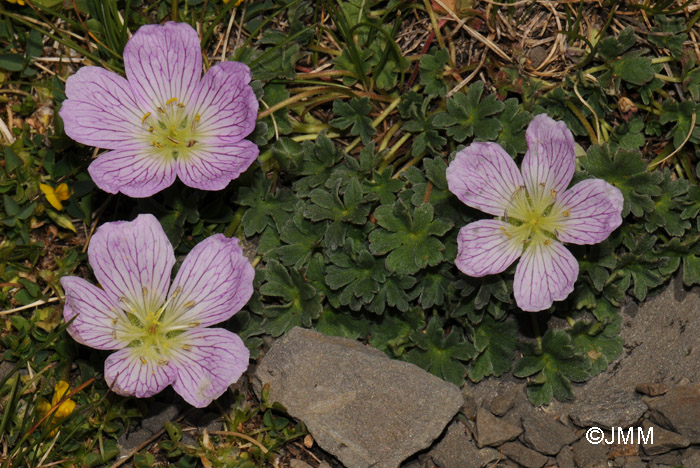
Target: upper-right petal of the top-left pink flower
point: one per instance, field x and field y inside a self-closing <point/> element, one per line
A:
<point x="226" y="104"/>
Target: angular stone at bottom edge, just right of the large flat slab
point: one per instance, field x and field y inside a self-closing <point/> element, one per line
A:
<point x="458" y="450"/>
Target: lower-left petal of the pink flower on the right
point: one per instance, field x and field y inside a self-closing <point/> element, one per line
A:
<point x="486" y="248"/>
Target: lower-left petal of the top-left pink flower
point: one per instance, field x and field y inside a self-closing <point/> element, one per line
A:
<point x="137" y="172"/>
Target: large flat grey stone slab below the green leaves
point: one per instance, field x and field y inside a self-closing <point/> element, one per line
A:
<point x="359" y="405"/>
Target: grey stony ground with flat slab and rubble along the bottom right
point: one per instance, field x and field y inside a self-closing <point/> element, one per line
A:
<point x="367" y="411"/>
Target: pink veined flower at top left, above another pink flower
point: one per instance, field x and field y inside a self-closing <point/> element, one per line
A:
<point x="165" y="119"/>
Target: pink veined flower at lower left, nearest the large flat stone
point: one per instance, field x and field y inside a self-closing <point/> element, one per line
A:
<point x="159" y="329"/>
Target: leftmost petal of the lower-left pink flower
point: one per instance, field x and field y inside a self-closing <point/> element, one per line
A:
<point x="95" y="313"/>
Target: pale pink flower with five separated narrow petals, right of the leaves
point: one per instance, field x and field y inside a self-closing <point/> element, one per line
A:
<point x="535" y="212"/>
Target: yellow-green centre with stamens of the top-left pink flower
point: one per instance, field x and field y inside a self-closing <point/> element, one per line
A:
<point x="172" y="131"/>
